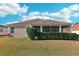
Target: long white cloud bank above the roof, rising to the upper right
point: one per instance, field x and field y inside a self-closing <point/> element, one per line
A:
<point x="64" y="14"/>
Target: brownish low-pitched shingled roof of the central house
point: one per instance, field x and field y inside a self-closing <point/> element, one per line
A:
<point x="40" y="22"/>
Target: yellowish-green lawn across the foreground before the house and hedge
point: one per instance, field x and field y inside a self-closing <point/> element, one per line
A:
<point x="26" y="47"/>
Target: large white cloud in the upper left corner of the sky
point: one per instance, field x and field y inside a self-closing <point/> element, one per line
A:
<point x="11" y="8"/>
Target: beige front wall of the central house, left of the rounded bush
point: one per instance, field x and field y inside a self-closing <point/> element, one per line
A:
<point x="19" y="32"/>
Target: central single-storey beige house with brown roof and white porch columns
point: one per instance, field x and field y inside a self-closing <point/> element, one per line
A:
<point x="42" y="25"/>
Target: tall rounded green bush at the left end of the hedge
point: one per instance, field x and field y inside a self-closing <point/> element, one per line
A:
<point x="32" y="33"/>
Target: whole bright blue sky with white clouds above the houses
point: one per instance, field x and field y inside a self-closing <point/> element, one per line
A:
<point x="12" y="13"/>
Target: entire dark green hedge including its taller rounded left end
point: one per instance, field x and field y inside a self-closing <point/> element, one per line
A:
<point x="33" y="34"/>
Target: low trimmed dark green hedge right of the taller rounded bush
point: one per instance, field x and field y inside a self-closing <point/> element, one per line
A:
<point x="61" y="36"/>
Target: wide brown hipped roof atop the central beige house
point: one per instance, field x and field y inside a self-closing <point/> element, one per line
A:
<point x="39" y="22"/>
